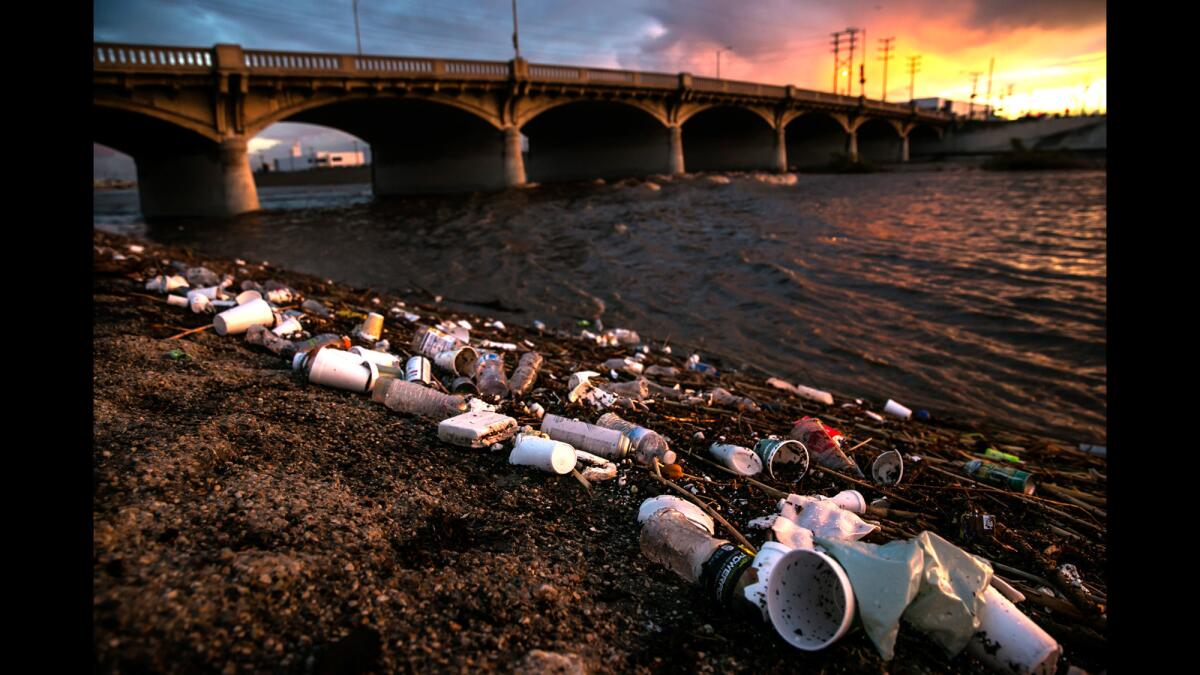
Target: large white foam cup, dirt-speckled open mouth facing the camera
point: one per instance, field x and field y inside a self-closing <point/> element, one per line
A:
<point x="809" y="600"/>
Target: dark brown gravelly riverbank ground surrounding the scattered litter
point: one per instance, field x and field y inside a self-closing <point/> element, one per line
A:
<point x="245" y="519"/>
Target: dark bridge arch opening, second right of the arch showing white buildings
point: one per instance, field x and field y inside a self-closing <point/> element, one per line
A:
<point x="729" y="139"/>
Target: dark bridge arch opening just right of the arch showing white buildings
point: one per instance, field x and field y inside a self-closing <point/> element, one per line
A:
<point x="596" y="139"/>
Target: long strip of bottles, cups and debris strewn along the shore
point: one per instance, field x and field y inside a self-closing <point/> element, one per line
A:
<point x="879" y="518"/>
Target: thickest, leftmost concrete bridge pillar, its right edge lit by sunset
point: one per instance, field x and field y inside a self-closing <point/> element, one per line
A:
<point x="217" y="182"/>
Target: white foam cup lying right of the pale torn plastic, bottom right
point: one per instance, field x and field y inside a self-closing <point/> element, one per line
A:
<point x="1010" y="642"/>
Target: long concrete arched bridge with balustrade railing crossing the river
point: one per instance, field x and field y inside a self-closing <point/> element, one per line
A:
<point x="436" y="126"/>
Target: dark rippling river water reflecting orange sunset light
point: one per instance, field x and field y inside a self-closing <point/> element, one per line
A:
<point x="961" y="291"/>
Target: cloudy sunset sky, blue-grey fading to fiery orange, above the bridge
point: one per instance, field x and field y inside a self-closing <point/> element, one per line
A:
<point x="1052" y="53"/>
